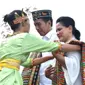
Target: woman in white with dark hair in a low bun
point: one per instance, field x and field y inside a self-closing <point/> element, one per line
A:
<point x="70" y="61"/>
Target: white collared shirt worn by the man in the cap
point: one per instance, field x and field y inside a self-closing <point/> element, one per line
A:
<point x="51" y="36"/>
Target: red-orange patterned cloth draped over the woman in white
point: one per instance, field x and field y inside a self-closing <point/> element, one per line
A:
<point x="59" y="72"/>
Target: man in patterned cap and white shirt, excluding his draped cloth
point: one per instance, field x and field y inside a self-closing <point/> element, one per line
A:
<point x="43" y="23"/>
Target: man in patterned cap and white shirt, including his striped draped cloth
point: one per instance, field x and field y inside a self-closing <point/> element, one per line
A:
<point x="43" y="23"/>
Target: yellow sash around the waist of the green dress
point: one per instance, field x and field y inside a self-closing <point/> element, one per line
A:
<point x="10" y="63"/>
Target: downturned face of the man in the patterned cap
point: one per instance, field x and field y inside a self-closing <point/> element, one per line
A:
<point x="42" y="27"/>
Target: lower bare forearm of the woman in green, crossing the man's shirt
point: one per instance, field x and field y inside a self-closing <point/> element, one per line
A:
<point x="37" y="61"/>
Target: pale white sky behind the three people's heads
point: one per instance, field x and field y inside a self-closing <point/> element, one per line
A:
<point x="72" y="8"/>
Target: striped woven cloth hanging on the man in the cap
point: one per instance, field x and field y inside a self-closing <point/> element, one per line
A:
<point x="31" y="75"/>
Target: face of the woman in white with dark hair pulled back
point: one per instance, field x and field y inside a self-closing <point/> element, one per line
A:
<point x="63" y="32"/>
